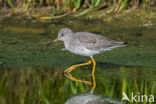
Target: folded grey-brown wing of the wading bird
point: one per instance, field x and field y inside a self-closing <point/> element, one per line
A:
<point x="94" y="42"/>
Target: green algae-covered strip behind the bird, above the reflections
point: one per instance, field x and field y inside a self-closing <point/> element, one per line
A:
<point x="26" y="43"/>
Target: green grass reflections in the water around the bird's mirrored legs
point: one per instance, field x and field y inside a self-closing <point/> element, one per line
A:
<point x="44" y="85"/>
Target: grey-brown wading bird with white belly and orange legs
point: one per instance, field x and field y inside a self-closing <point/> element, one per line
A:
<point x="86" y="44"/>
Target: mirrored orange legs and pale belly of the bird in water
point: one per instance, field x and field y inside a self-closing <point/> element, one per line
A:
<point x="89" y="97"/>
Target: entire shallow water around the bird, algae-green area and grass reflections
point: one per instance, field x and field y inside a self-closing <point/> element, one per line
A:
<point x="32" y="72"/>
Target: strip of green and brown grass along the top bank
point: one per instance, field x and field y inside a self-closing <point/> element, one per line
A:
<point x="64" y="7"/>
